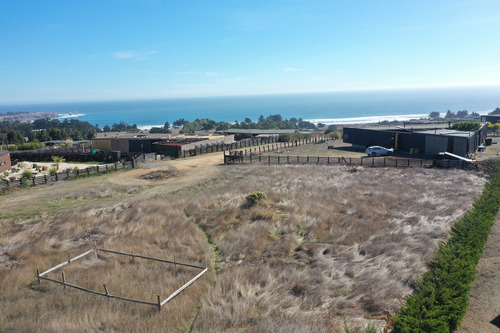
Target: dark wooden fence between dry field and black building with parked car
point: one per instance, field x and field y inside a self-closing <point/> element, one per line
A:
<point x="351" y="161"/>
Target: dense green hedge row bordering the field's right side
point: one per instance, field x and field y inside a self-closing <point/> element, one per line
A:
<point x="441" y="298"/>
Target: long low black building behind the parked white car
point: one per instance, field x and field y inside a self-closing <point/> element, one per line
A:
<point x="425" y="141"/>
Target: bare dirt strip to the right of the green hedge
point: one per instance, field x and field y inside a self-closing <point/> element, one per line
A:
<point x="483" y="314"/>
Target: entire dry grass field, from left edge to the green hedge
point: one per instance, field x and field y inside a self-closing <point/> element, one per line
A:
<point x="327" y="245"/>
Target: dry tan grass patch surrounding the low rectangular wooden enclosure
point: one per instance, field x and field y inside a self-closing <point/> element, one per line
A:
<point x="156" y="228"/>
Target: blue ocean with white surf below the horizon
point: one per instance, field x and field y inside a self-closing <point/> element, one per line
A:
<point x="329" y="108"/>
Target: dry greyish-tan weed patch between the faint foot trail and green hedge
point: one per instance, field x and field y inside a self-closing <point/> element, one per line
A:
<point x="325" y="244"/>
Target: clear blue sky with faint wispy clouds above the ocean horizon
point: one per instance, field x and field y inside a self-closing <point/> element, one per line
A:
<point x="55" y="51"/>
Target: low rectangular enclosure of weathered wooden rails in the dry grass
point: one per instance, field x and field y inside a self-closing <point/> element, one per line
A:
<point x="158" y="303"/>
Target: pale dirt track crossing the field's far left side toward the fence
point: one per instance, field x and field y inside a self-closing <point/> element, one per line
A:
<point x="105" y="190"/>
